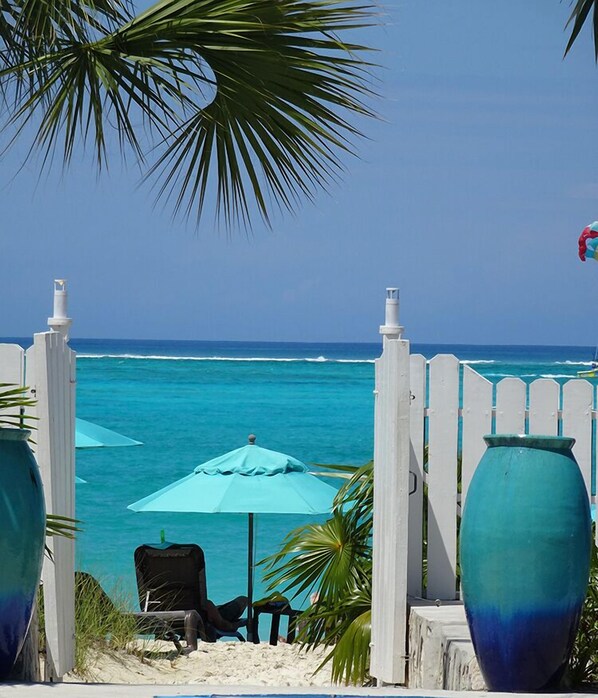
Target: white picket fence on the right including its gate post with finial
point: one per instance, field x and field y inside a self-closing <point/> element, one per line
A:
<point x="449" y="407"/>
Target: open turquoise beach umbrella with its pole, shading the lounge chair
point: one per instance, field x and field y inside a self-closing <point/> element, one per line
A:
<point x="250" y="480"/>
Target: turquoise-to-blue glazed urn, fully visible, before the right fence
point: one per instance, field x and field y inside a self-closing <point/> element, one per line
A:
<point x="525" y="554"/>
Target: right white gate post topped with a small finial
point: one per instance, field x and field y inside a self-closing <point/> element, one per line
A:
<point x="391" y="501"/>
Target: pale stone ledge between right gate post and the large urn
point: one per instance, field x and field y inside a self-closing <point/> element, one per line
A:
<point x="441" y="654"/>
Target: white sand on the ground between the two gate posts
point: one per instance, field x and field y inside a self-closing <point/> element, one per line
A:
<point x="216" y="664"/>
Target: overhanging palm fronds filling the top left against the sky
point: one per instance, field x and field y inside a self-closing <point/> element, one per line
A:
<point x="247" y="102"/>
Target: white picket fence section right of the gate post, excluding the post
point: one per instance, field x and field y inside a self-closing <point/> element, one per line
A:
<point x="458" y="425"/>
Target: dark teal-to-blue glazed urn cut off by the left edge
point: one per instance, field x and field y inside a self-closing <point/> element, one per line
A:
<point x="22" y="537"/>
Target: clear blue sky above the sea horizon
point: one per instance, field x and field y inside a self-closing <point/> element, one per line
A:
<point x="469" y="195"/>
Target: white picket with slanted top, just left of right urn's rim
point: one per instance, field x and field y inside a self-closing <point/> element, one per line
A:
<point x="477" y="422"/>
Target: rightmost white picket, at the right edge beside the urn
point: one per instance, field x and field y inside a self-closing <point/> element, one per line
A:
<point x="578" y="401"/>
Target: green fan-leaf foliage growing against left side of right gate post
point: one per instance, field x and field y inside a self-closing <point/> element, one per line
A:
<point x="332" y="561"/>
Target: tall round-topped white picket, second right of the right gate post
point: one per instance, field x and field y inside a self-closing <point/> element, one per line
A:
<point x="442" y="476"/>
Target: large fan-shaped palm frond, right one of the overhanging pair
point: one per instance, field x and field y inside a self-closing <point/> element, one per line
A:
<point x="275" y="127"/>
